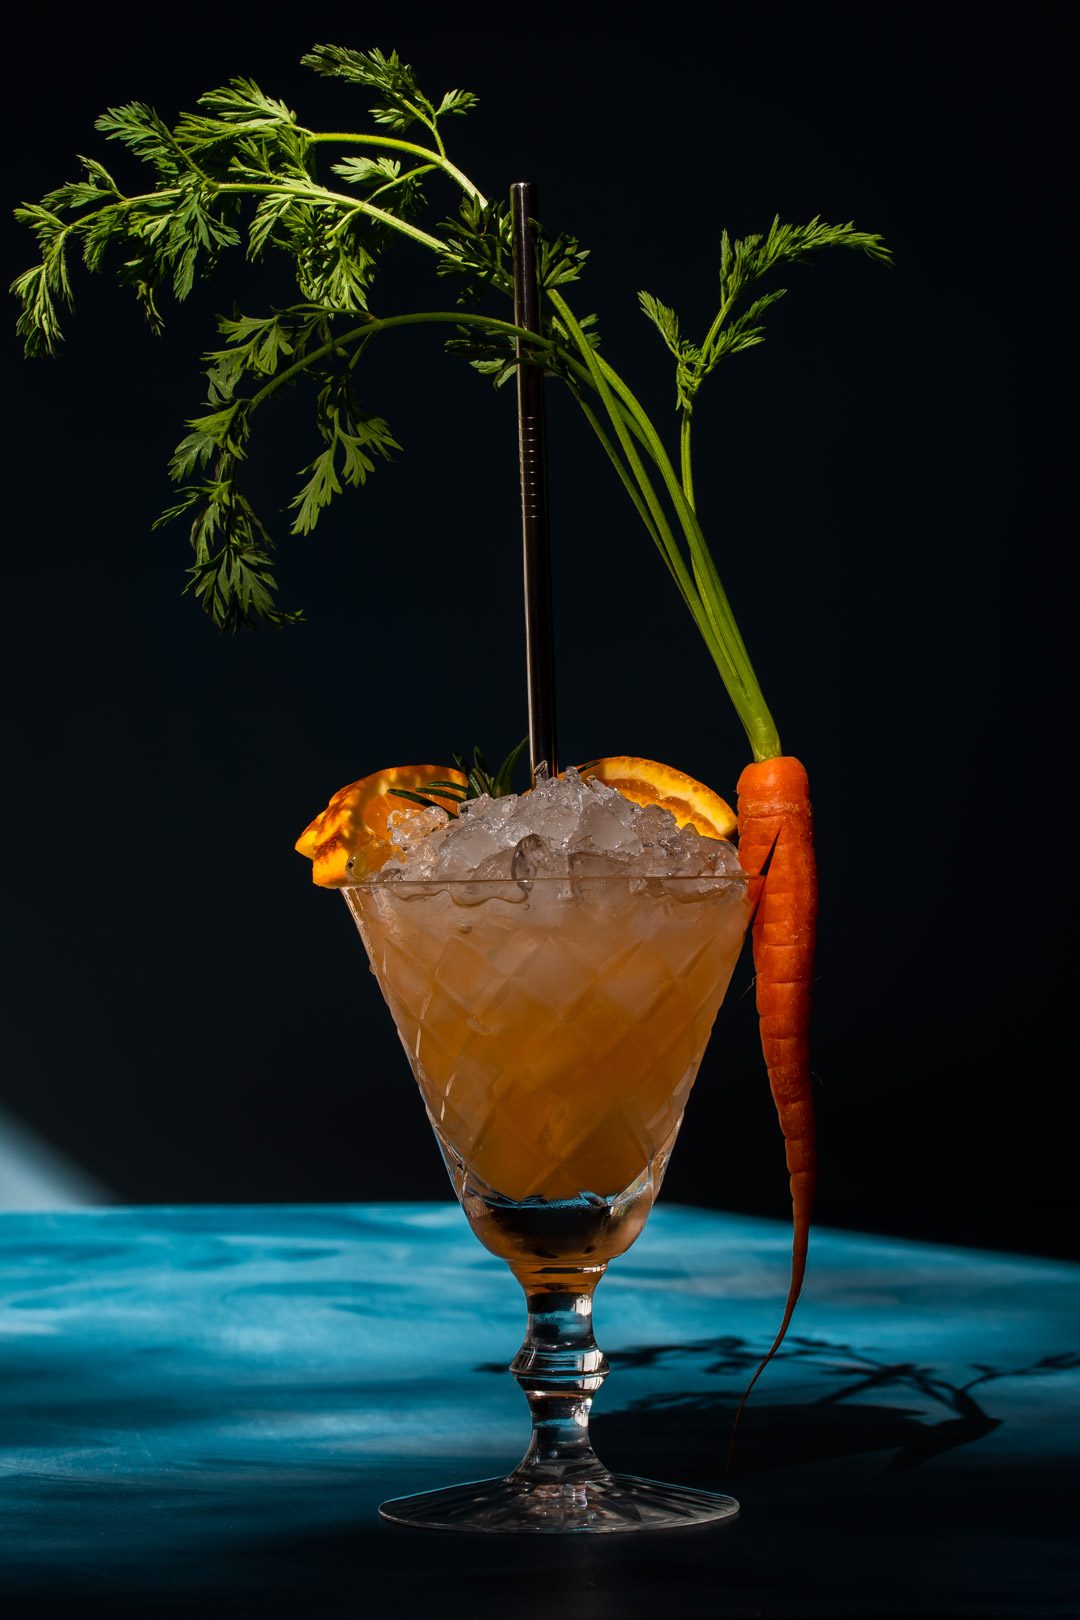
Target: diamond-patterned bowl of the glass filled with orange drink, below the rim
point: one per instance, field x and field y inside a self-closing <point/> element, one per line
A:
<point x="555" y="1031"/>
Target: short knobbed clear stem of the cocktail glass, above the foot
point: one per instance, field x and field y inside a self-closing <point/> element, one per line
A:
<point x="559" y="1368"/>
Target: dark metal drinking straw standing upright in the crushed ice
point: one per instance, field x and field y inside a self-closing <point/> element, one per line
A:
<point x="540" y="647"/>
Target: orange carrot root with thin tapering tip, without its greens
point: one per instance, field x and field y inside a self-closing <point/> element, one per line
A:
<point x="776" y="850"/>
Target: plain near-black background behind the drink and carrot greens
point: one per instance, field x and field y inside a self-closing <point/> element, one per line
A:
<point x="885" y="488"/>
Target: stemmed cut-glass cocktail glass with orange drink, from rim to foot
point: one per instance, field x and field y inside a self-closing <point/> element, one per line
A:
<point x="556" y="1030"/>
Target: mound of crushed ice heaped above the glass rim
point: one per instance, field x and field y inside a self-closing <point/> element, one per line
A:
<point x="566" y="827"/>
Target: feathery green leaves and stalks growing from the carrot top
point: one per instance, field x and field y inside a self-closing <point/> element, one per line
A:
<point x="244" y="174"/>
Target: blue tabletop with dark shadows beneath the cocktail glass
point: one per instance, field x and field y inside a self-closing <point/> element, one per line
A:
<point x="202" y="1410"/>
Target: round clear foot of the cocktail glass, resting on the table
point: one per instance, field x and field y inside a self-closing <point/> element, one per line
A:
<point x="603" y="1504"/>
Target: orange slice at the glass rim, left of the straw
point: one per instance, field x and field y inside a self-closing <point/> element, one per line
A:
<point x="355" y="822"/>
